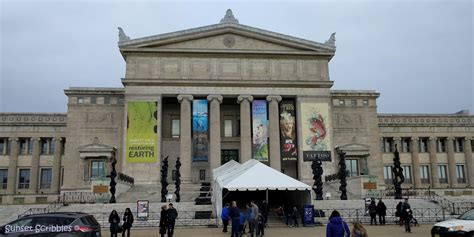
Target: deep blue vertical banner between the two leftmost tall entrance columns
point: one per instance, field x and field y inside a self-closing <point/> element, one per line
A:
<point x="200" y="130"/>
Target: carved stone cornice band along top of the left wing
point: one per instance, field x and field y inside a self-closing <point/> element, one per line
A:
<point x="33" y="119"/>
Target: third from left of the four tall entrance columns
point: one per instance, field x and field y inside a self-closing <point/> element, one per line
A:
<point x="245" y="128"/>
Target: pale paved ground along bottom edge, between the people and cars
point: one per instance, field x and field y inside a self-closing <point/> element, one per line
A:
<point x="373" y="231"/>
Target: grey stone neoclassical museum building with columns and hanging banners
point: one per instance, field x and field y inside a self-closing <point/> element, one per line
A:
<point x="226" y="92"/>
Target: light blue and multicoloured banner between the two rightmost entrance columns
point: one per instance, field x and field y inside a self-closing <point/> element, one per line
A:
<point x="260" y="130"/>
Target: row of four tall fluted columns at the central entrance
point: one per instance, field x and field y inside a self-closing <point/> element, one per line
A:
<point x="245" y="102"/>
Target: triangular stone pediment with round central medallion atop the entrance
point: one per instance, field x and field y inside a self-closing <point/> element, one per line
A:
<point x="225" y="38"/>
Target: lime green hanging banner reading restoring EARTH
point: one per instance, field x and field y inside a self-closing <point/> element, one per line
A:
<point x="141" y="132"/>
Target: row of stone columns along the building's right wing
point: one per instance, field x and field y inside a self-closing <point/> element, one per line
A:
<point x="432" y="150"/>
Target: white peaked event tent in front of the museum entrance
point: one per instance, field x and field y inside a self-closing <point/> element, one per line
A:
<point x="255" y="176"/>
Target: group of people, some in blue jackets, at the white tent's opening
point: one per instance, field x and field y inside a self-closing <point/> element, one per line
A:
<point x="253" y="216"/>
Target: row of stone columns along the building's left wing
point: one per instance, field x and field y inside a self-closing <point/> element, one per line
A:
<point x="34" y="168"/>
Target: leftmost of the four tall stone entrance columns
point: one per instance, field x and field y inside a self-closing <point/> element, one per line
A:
<point x="185" y="143"/>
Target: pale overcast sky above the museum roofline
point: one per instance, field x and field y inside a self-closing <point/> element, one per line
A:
<point x="418" y="54"/>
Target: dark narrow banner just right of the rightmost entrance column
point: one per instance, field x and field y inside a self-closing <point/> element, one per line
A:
<point x="288" y="145"/>
